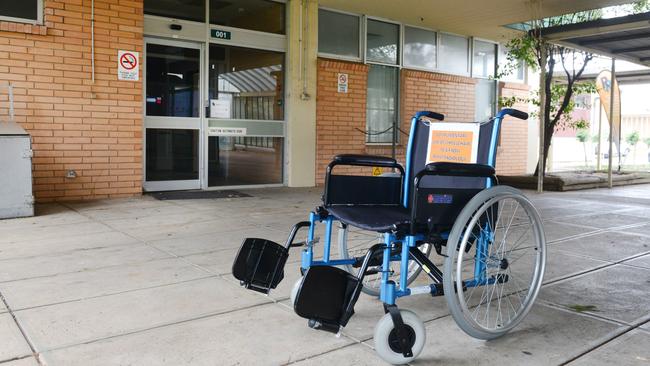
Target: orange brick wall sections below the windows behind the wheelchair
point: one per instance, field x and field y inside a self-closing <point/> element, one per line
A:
<point x="341" y="116"/>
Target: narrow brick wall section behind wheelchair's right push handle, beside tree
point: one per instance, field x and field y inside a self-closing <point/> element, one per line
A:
<point x="513" y="147"/>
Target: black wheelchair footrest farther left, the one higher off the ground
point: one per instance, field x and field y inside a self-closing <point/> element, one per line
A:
<point x="259" y="264"/>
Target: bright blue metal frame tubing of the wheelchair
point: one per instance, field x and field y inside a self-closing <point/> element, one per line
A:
<point x="389" y="292"/>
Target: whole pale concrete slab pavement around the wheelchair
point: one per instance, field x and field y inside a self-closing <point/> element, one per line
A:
<point x="147" y="282"/>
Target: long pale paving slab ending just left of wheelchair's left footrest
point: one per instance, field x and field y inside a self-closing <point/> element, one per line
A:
<point x="92" y="283"/>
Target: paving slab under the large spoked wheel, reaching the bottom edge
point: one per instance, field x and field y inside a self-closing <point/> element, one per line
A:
<point x="546" y="337"/>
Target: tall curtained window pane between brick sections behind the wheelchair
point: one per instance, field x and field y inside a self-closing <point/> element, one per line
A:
<point x="381" y="104"/>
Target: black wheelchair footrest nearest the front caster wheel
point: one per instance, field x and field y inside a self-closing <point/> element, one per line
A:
<point x="327" y="296"/>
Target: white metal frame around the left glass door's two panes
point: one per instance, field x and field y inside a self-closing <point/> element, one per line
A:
<point x="184" y="123"/>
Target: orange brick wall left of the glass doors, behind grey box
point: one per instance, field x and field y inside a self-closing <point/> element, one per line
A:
<point x="92" y="128"/>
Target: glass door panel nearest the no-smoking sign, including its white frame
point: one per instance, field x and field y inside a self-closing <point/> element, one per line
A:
<point x="173" y="105"/>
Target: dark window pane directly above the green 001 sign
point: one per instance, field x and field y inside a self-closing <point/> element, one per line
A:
<point x="257" y="15"/>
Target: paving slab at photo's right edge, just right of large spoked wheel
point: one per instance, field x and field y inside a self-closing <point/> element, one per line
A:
<point x="619" y="293"/>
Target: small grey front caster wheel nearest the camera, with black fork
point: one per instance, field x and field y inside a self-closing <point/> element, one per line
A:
<point x="387" y="342"/>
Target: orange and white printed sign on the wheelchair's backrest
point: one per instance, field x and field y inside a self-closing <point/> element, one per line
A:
<point x="453" y="142"/>
